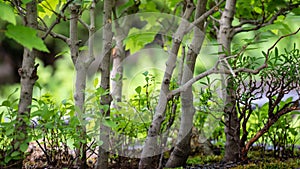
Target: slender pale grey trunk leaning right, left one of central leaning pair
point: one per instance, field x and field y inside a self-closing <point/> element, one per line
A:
<point x="151" y="148"/>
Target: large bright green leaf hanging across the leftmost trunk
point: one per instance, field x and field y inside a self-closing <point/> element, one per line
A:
<point x="26" y="36"/>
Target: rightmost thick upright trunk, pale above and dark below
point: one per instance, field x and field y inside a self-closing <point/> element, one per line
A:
<point x="232" y="125"/>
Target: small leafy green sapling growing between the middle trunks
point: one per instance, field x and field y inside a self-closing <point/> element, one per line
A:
<point x="134" y="117"/>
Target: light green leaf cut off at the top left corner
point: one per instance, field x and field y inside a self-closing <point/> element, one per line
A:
<point x="7" y="13"/>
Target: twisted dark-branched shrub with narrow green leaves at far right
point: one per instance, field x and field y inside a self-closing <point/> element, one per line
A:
<point x="278" y="79"/>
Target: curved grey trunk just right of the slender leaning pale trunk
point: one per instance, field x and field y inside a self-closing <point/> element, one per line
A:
<point x="182" y="149"/>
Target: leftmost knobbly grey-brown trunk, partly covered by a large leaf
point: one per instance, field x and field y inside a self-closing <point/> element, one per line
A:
<point x="28" y="74"/>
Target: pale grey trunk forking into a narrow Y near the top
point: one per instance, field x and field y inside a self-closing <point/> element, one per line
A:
<point x="81" y="63"/>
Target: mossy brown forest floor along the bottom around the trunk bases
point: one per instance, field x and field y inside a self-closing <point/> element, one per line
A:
<point x="62" y="158"/>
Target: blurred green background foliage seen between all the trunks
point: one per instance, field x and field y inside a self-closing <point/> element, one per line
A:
<point x="143" y="71"/>
